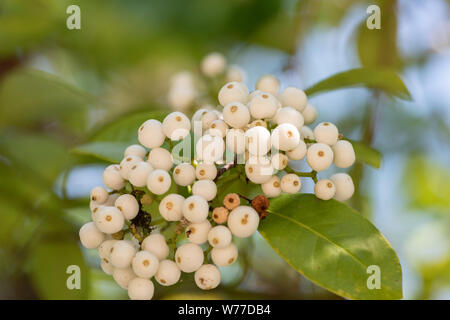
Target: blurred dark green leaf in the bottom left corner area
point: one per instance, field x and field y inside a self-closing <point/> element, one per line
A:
<point x="49" y="262"/>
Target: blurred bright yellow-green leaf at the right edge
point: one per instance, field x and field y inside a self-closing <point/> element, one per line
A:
<point x="427" y="185"/>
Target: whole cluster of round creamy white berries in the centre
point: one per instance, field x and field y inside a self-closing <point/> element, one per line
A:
<point x="256" y="134"/>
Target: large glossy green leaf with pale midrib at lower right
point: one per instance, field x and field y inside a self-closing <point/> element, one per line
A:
<point x="332" y="245"/>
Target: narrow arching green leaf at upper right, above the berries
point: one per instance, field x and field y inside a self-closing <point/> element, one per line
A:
<point x="374" y="78"/>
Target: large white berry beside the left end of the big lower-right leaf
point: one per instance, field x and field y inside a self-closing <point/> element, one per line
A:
<point x="243" y="221"/>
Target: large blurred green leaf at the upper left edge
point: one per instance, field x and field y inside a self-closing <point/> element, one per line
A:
<point x="30" y="95"/>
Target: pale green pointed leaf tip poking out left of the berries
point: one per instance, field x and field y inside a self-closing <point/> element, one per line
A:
<point x="105" y="151"/>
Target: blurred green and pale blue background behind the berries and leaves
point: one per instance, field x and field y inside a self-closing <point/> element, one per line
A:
<point x="60" y="88"/>
